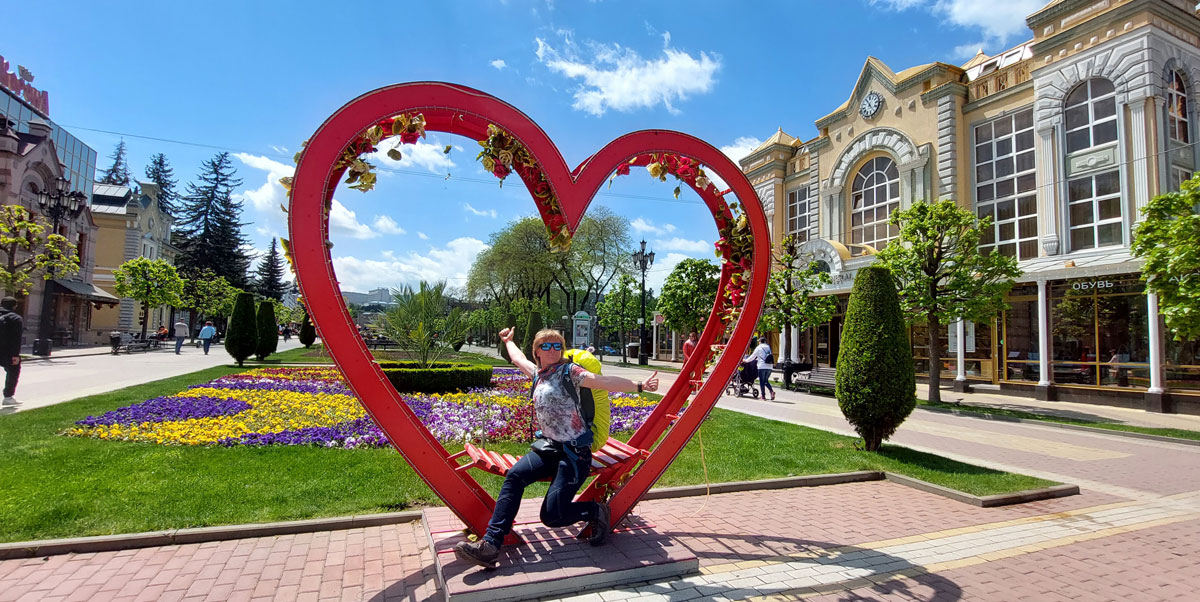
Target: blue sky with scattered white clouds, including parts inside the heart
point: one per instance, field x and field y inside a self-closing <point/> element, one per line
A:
<point x="257" y="79"/>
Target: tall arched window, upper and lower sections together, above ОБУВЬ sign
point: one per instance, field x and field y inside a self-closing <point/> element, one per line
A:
<point x="1094" y="201"/>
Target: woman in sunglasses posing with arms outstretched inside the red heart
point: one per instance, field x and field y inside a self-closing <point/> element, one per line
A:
<point x="562" y="451"/>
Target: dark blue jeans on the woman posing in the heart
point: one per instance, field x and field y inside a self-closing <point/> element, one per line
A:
<point x="559" y="509"/>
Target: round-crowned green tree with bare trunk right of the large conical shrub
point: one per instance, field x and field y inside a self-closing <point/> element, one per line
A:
<point x="943" y="274"/>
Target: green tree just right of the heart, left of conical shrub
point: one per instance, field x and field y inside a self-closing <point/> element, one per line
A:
<point x="790" y="294"/>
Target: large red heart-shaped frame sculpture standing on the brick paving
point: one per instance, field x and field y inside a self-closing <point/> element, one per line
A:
<point x="463" y="111"/>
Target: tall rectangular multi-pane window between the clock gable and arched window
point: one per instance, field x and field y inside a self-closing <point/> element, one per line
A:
<point x="1006" y="185"/>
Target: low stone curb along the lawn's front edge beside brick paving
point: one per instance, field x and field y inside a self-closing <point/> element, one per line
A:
<point x="209" y="534"/>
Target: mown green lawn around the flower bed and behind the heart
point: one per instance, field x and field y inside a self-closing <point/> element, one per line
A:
<point x="55" y="486"/>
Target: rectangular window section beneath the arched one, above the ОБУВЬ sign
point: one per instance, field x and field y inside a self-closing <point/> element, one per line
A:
<point x="1095" y="212"/>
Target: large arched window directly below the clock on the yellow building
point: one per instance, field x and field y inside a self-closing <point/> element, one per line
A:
<point x="875" y="196"/>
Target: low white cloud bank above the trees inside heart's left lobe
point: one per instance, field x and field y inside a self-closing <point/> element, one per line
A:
<point x="451" y="263"/>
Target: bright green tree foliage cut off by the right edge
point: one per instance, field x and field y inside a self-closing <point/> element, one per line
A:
<point x="1168" y="240"/>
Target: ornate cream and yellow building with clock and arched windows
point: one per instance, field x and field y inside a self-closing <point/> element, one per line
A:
<point x="1061" y="141"/>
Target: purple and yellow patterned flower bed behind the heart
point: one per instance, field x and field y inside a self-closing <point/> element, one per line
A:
<point x="315" y="407"/>
